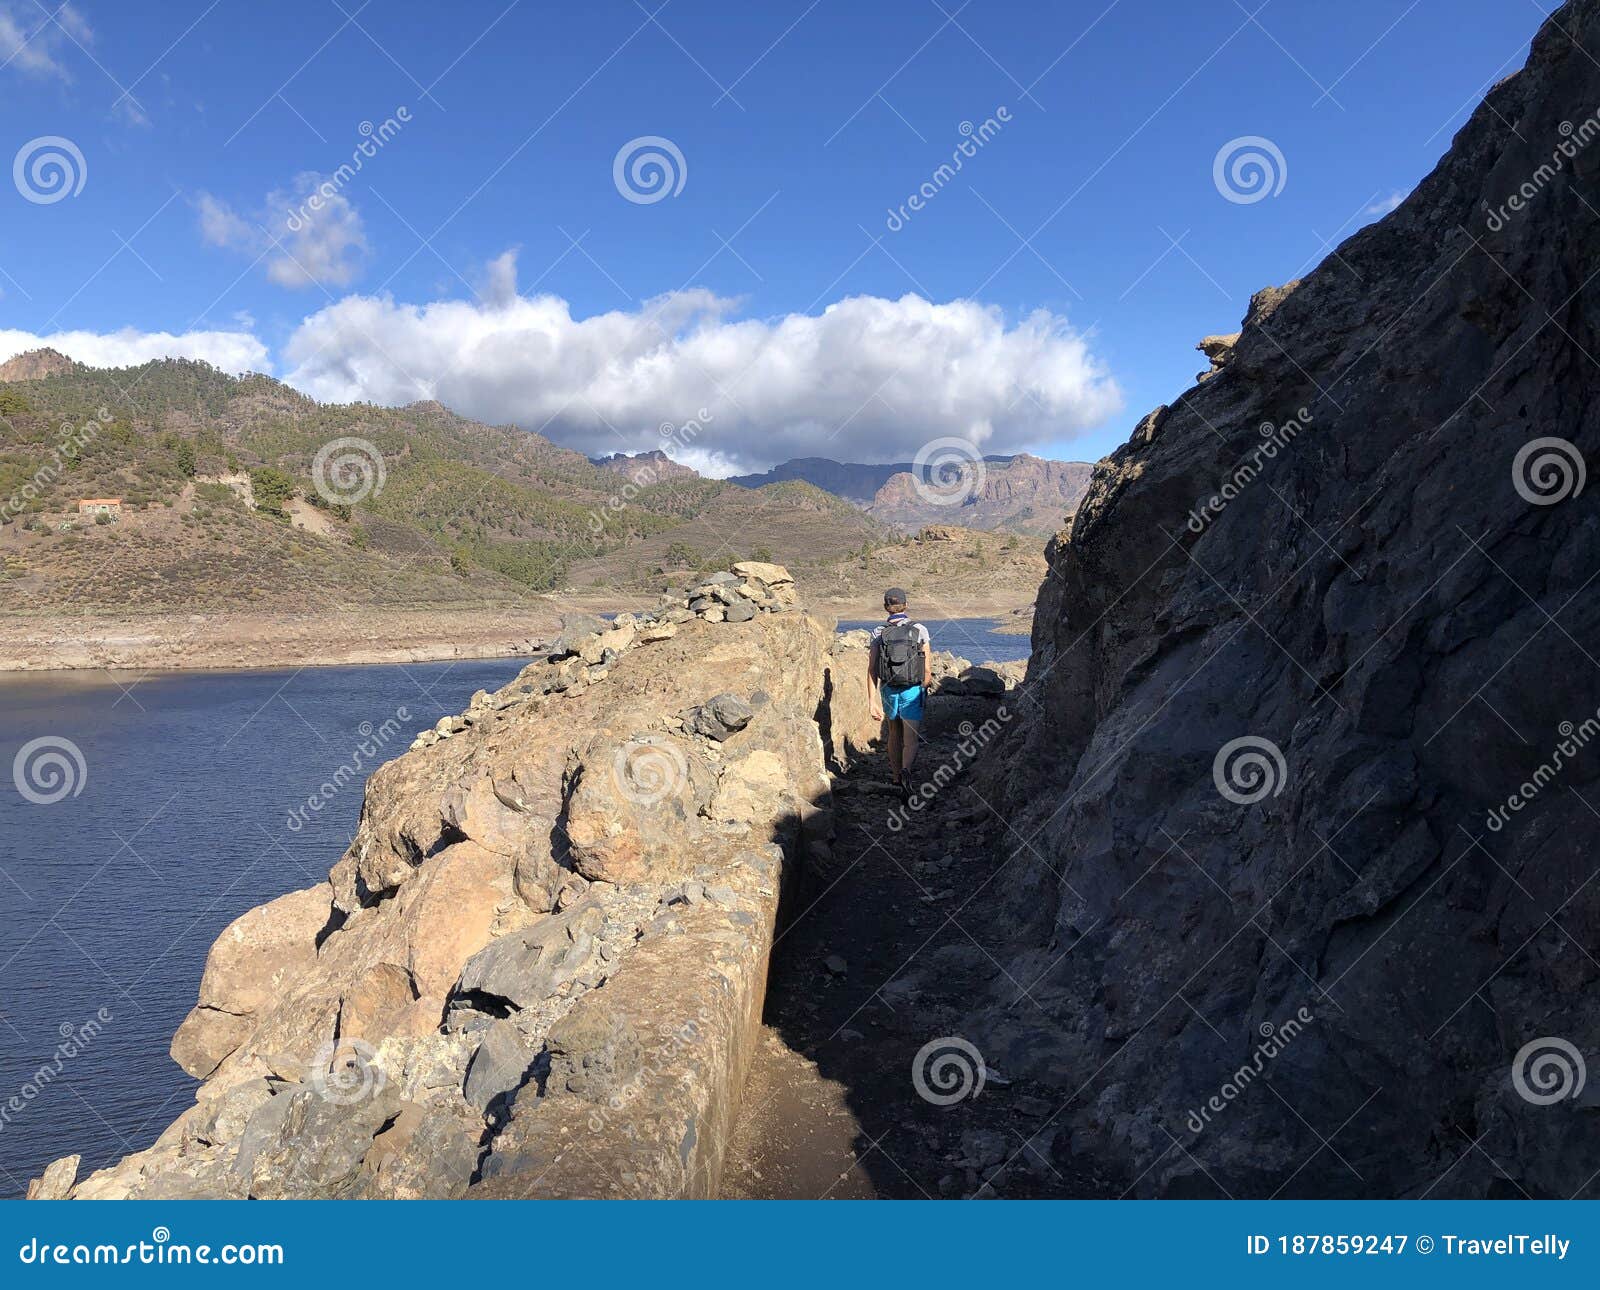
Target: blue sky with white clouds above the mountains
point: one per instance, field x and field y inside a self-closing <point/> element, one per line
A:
<point x="487" y="257"/>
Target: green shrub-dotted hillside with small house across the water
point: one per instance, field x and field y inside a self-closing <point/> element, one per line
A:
<point x="220" y="502"/>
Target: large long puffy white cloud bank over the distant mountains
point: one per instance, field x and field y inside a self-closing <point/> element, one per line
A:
<point x="868" y="380"/>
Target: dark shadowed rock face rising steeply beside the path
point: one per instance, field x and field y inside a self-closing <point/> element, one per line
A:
<point x="1359" y="558"/>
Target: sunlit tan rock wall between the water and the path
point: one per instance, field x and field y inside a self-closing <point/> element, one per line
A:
<point x="540" y="967"/>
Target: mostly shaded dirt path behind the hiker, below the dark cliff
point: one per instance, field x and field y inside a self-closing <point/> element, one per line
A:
<point x="881" y="958"/>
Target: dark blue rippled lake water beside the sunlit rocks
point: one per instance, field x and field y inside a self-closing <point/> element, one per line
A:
<point x="180" y="823"/>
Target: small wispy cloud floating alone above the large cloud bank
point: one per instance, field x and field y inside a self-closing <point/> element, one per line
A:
<point x="306" y="236"/>
